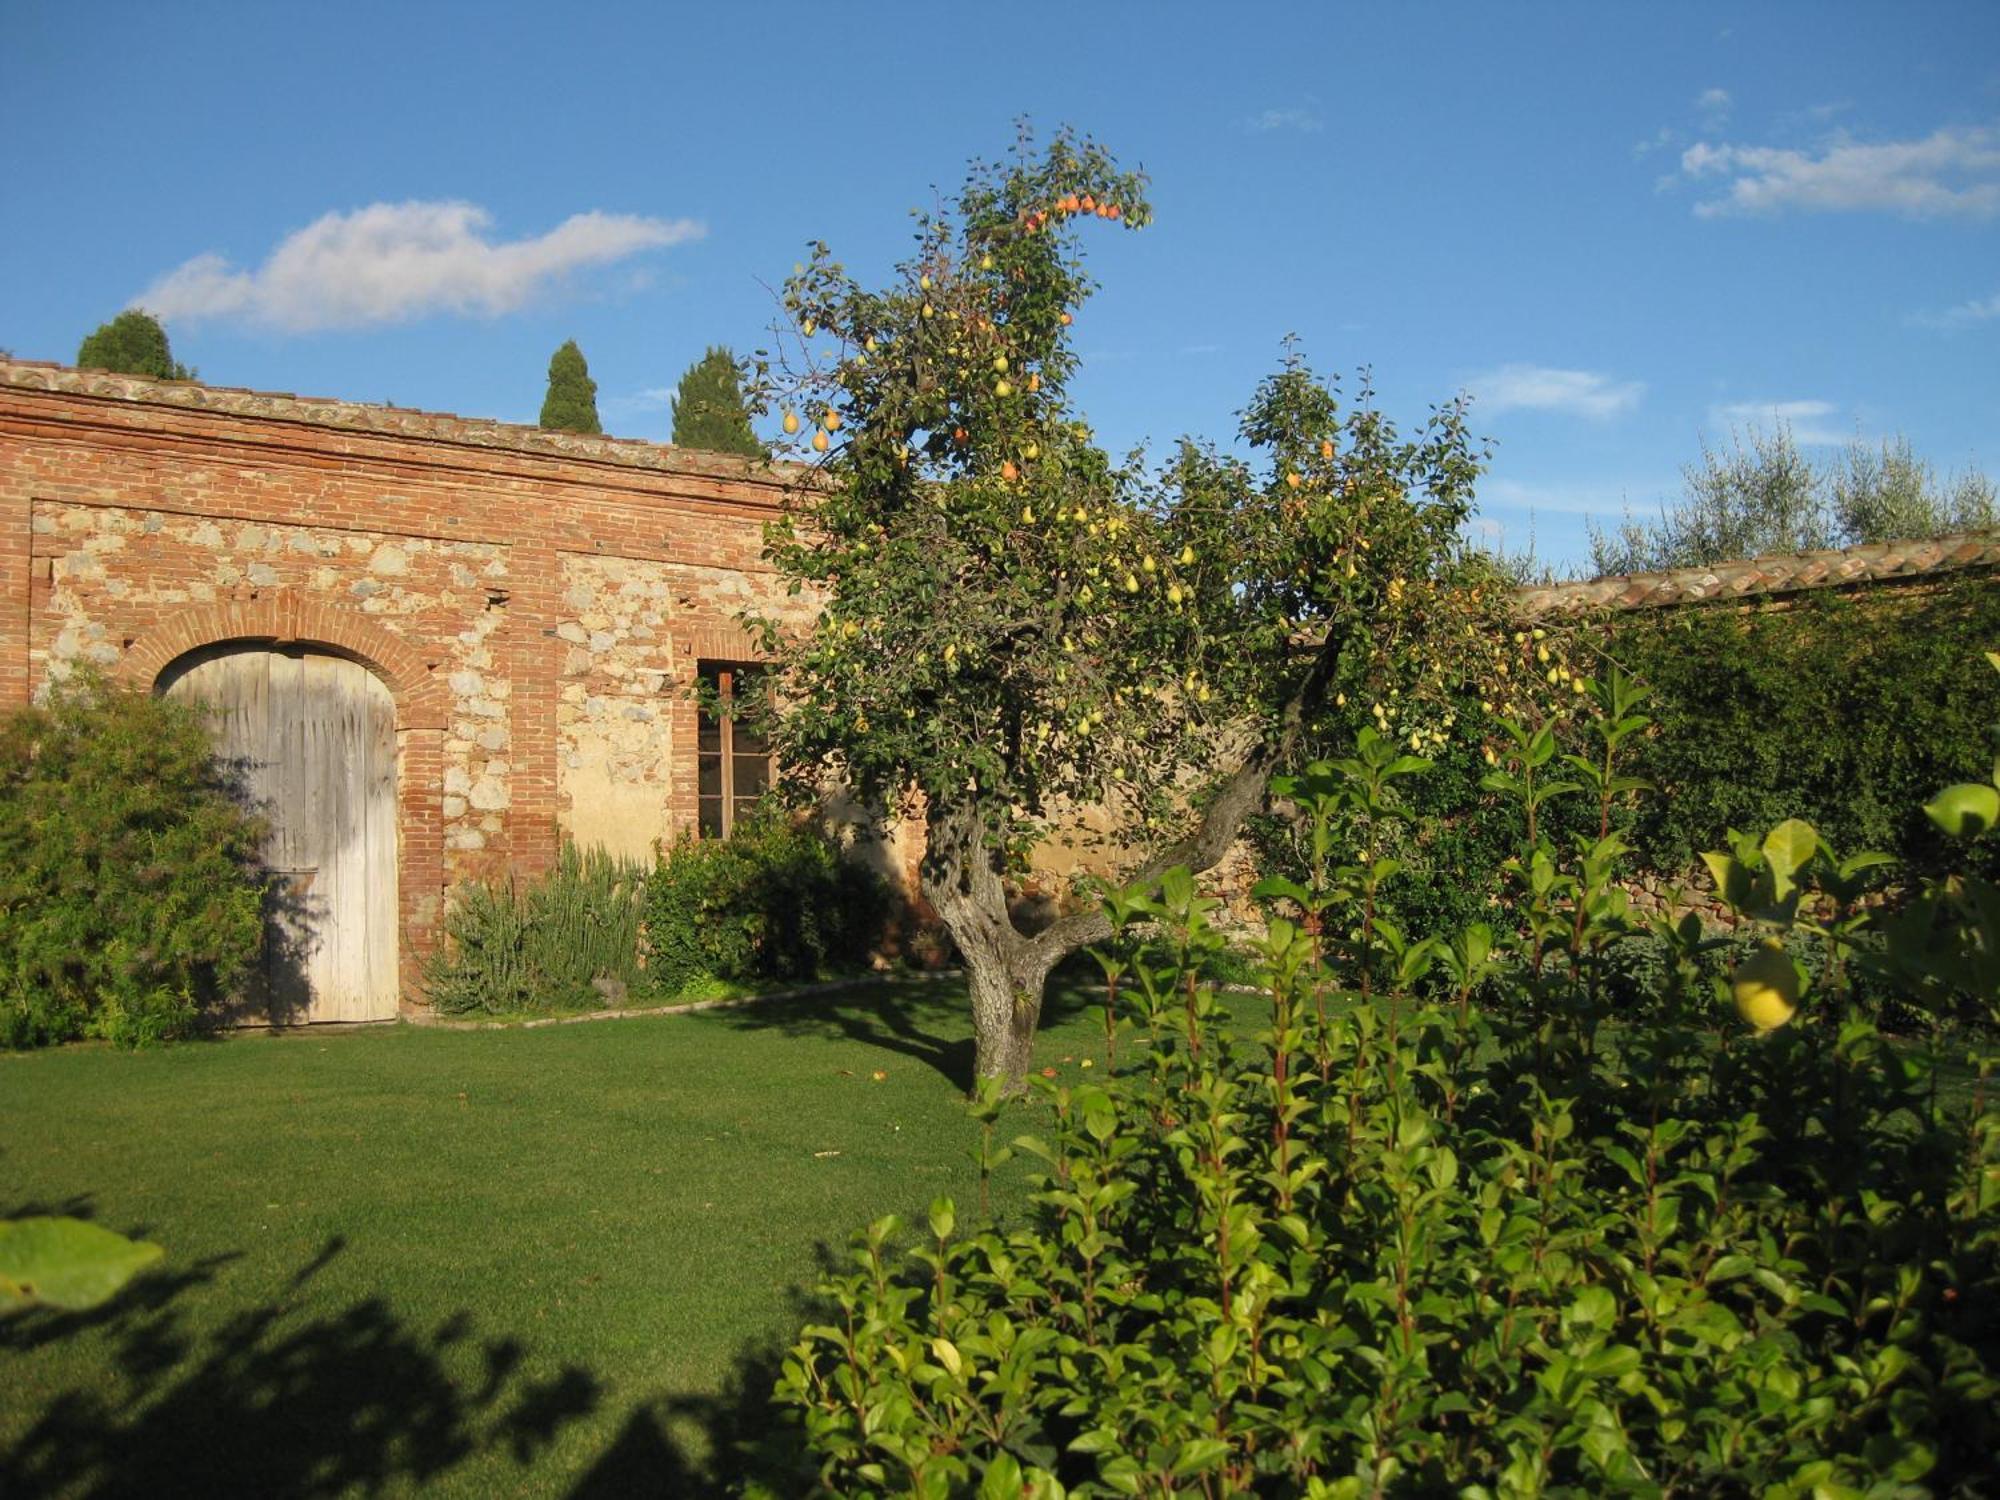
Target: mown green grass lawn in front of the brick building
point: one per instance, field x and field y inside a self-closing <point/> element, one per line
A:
<point x="467" y="1263"/>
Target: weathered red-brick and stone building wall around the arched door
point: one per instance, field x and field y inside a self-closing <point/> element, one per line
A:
<point x="537" y="603"/>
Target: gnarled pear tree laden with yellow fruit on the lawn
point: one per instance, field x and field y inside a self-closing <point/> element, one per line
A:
<point x="1013" y="625"/>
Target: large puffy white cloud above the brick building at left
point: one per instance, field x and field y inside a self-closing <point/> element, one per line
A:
<point x="393" y="263"/>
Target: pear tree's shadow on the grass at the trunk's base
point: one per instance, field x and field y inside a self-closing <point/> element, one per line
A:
<point x="927" y="1021"/>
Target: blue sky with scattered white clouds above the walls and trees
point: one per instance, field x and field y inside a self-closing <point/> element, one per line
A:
<point x="1621" y="227"/>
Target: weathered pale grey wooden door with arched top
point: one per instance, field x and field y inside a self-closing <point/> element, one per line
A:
<point x="311" y="741"/>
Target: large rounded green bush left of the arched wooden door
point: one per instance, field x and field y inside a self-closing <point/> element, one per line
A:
<point x="131" y="891"/>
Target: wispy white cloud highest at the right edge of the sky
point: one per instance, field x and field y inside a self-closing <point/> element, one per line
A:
<point x="1947" y="175"/>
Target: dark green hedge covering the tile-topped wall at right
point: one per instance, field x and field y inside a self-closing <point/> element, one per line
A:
<point x="1845" y="709"/>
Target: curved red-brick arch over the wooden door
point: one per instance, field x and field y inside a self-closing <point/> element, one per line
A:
<point x="287" y="619"/>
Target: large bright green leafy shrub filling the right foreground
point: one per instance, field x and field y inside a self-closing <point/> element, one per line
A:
<point x="1489" y="1241"/>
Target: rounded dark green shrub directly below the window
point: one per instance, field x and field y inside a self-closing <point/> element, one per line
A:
<point x="775" y="901"/>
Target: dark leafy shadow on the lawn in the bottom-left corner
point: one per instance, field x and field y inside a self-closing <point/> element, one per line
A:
<point x="279" y="1401"/>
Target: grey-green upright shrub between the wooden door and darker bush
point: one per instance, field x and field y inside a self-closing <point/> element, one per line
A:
<point x="567" y="943"/>
